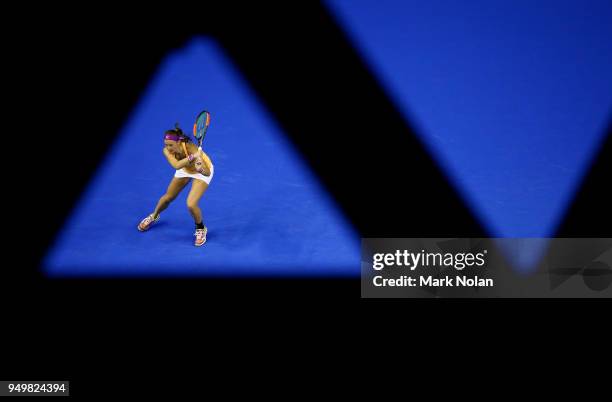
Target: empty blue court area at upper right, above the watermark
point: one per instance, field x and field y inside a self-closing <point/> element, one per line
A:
<point x="511" y="97"/>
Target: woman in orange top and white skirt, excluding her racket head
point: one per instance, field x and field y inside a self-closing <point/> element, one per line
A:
<point x="190" y="163"/>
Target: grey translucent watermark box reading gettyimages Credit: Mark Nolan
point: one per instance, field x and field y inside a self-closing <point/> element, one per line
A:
<point x="482" y="267"/>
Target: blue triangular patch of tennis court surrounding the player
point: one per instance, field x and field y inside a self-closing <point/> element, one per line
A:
<point x="266" y="212"/>
